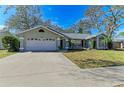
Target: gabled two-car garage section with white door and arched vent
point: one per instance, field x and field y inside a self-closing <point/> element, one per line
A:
<point x="38" y="39"/>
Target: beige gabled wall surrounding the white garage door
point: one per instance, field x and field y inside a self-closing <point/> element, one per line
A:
<point x="36" y="34"/>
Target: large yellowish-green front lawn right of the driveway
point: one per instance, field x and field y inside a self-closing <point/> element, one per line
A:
<point x="96" y="58"/>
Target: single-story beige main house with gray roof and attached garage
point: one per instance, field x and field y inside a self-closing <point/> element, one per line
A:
<point x="43" y="38"/>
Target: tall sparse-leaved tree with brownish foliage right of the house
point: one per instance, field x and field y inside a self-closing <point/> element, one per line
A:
<point x="106" y="19"/>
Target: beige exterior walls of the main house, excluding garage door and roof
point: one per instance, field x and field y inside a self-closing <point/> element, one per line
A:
<point x="100" y="44"/>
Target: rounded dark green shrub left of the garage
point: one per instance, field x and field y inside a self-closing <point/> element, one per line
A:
<point x="11" y="43"/>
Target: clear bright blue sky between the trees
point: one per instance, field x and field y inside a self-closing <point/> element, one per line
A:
<point x="64" y="16"/>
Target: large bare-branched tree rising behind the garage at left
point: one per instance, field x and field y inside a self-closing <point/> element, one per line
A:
<point x="25" y="17"/>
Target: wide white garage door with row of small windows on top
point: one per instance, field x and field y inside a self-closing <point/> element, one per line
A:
<point x="33" y="44"/>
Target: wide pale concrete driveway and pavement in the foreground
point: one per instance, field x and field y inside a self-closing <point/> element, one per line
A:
<point x="53" y="69"/>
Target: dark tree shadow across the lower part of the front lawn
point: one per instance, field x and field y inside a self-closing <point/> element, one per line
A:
<point x="93" y="63"/>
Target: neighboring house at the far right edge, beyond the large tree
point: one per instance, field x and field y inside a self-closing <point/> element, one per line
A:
<point x="118" y="42"/>
